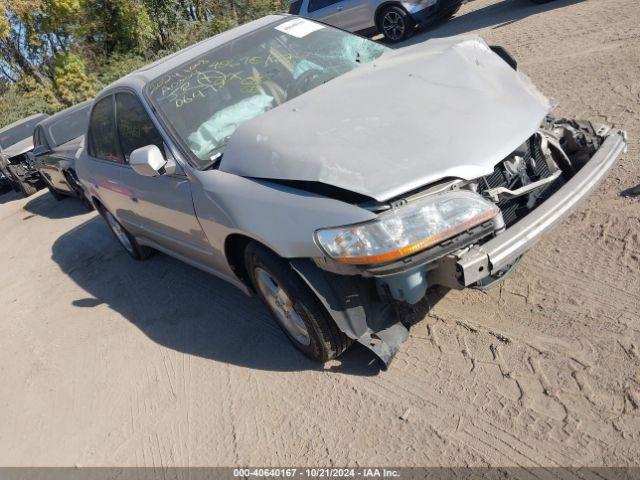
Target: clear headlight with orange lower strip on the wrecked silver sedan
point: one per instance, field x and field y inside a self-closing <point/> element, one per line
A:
<point x="408" y="229"/>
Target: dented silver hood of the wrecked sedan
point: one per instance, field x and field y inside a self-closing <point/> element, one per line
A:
<point x="447" y="108"/>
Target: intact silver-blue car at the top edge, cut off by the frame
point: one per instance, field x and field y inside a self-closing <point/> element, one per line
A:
<point x="396" y="20"/>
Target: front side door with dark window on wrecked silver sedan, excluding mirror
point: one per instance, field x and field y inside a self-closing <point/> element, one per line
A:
<point x="159" y="208"/>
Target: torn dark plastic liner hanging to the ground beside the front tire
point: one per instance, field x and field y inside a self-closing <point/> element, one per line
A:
<point x="356" y="308"/>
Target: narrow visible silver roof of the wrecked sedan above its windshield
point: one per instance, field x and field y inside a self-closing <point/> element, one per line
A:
<point x="139" y="78"/>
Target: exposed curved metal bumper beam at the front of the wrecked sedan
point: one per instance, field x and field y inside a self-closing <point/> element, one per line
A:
<point x="500" y="252"/>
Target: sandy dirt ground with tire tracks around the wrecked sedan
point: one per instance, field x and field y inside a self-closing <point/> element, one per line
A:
<point x="105" y="361"/>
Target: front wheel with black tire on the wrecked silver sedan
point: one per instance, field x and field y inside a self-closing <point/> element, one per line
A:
<point x="296" y="309"/>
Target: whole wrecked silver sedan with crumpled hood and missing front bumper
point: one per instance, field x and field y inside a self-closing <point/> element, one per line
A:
<point x="336" y="178"/>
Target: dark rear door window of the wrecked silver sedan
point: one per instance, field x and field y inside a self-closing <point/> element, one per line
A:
<point x="103" y="139"/>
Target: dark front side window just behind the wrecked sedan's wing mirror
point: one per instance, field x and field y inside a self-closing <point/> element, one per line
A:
<point x="135" y="128"/>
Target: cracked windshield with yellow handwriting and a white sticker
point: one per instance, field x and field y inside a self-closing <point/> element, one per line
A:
<point x="207" y="99"/>
